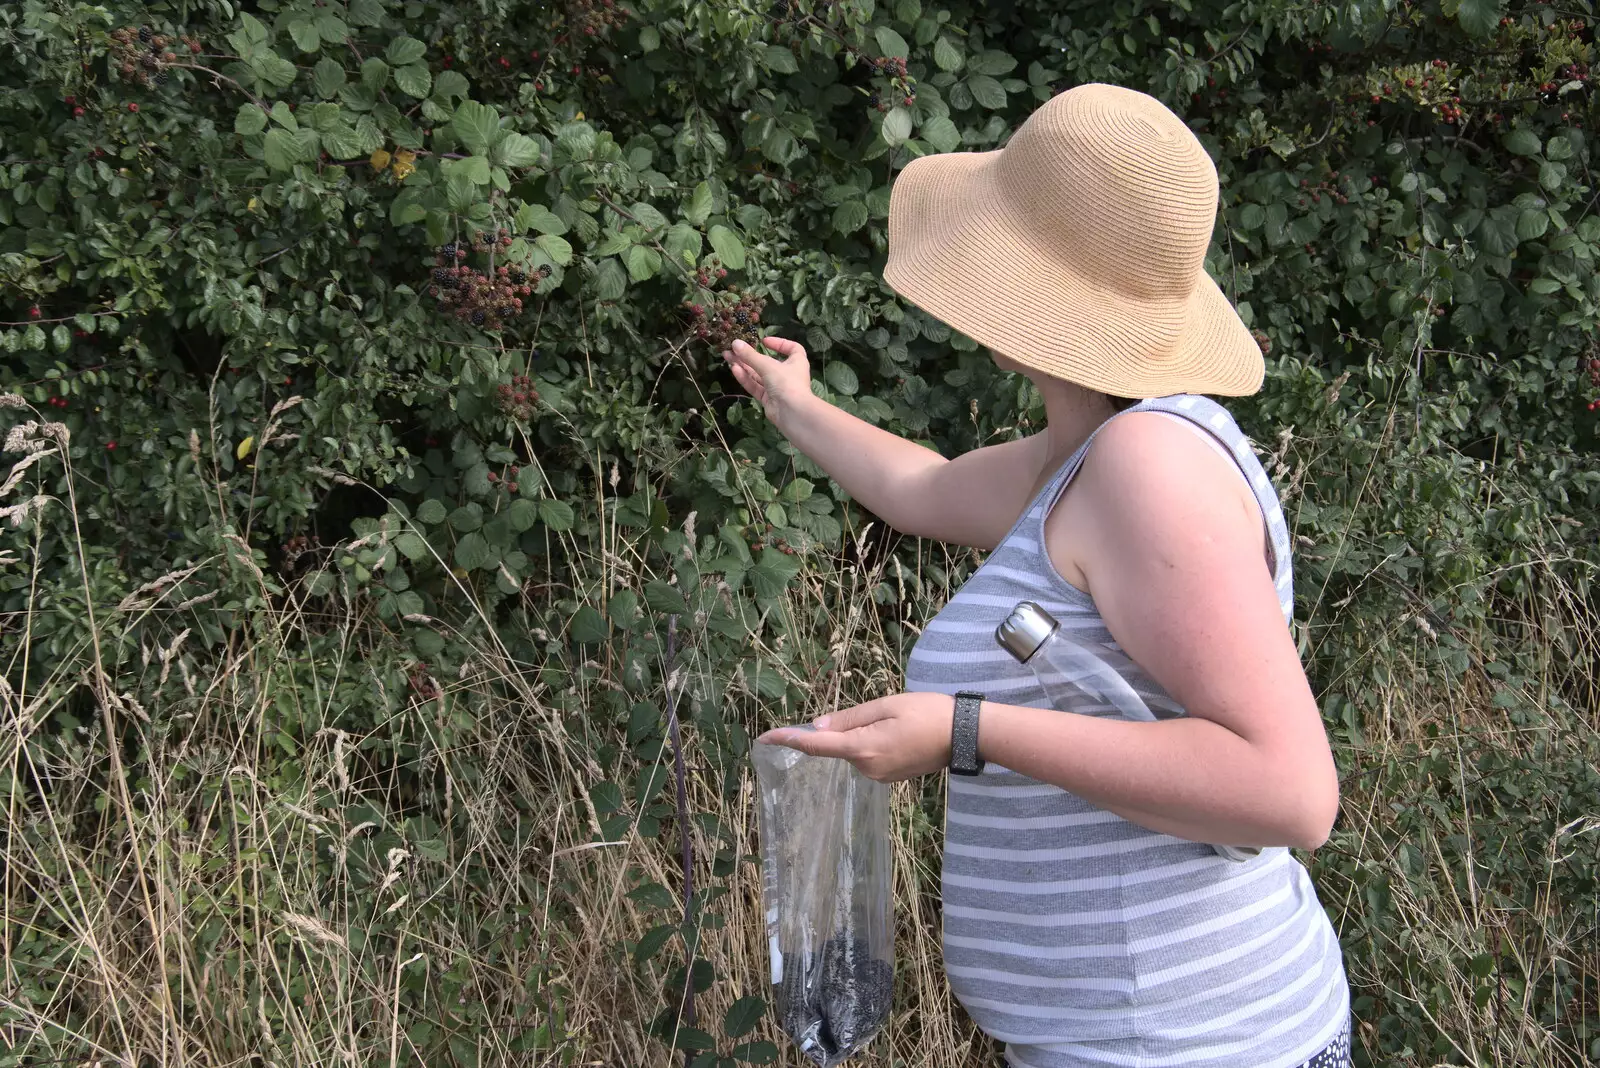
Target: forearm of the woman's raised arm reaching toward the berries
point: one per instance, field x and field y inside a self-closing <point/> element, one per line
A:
<point x="876" y="468"/>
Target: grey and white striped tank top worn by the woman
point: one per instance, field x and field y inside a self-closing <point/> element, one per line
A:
<point x="1084" y="941"/>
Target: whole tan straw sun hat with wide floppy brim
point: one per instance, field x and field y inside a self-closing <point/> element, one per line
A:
<point x="1079" y="250"/>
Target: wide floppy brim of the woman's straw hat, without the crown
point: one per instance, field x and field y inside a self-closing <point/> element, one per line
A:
<point x="961" y="252"/>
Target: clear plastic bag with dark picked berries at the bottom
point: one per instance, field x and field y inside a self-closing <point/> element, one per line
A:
<point x="826" y="895"/>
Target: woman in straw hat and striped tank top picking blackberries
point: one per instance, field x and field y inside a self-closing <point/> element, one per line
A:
<point x="1086" y="922"/>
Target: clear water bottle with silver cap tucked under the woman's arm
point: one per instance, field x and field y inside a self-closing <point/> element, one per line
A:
<point x="1078" y="679"/>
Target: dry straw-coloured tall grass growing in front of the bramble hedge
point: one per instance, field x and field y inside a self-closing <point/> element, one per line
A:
<point x="247" y="896"/>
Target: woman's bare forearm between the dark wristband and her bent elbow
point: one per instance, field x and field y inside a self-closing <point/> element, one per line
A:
<point x="1188" y="778"/>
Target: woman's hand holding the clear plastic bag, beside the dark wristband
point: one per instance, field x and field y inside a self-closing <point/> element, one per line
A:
<point x="889" y="739"/>
